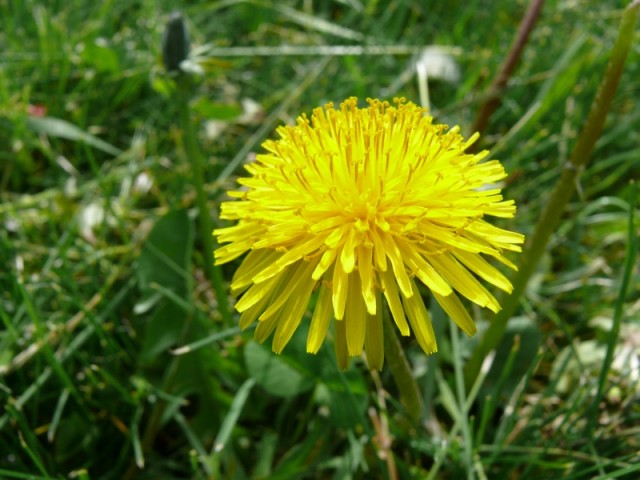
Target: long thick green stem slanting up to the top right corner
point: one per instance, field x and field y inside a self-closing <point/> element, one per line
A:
<point x="552" y="214"/>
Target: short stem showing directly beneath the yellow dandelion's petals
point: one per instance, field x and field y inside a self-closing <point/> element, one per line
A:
<point x="401" y="371"/>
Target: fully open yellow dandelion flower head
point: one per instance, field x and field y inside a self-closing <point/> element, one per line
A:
<point x="358" y="205"/>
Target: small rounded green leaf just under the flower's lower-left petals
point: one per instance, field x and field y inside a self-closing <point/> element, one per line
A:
<point x="277" y="374"/>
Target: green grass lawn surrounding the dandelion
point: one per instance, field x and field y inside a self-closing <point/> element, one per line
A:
<point x="102" y="273"/>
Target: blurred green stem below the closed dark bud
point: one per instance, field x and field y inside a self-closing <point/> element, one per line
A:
<point x="192" y="151"/>
